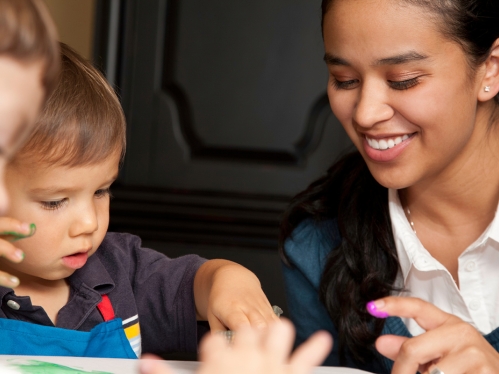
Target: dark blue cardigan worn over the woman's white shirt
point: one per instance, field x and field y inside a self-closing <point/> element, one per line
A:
<point x="307" y="250"/>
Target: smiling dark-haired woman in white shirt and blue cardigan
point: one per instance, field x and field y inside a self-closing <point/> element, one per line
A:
<point x="414" y="84"/>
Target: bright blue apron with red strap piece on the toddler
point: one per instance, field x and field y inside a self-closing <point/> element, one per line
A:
<point x="106" y="340"/>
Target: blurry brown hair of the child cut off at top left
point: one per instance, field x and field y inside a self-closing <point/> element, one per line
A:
<point x="27" y="34"/>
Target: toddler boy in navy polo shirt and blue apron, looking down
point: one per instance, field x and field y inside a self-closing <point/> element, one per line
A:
<point x="86" y="292"/>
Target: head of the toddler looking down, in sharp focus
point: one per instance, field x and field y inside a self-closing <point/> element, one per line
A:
<point x="60" y="178"/>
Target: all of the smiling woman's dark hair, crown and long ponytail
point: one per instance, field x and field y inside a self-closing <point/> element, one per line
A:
<point x="364" y="266"/>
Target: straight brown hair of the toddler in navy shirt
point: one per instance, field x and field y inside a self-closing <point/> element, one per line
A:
<point x="82" y="122"/>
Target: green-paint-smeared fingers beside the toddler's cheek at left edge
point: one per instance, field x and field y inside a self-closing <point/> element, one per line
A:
<point x="10" y="230"/>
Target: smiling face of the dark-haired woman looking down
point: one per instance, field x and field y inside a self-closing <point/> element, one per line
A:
<point x="388" y="87"/>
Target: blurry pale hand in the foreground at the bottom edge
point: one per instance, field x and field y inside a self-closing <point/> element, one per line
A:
<point x="256" y="352"/>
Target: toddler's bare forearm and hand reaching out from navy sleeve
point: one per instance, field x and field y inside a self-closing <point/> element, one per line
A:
<point x="230" y="296"/>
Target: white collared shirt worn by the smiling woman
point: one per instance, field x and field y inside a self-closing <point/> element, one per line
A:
<point x="477" y="299"/>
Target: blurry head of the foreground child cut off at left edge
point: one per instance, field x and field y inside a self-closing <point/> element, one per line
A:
<point x="29" y="65"/>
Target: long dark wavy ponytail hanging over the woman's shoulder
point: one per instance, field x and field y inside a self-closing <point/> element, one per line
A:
<point x="365" y="264"/>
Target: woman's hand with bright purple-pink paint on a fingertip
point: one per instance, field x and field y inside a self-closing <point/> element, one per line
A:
<point x="449" y="343"/>
